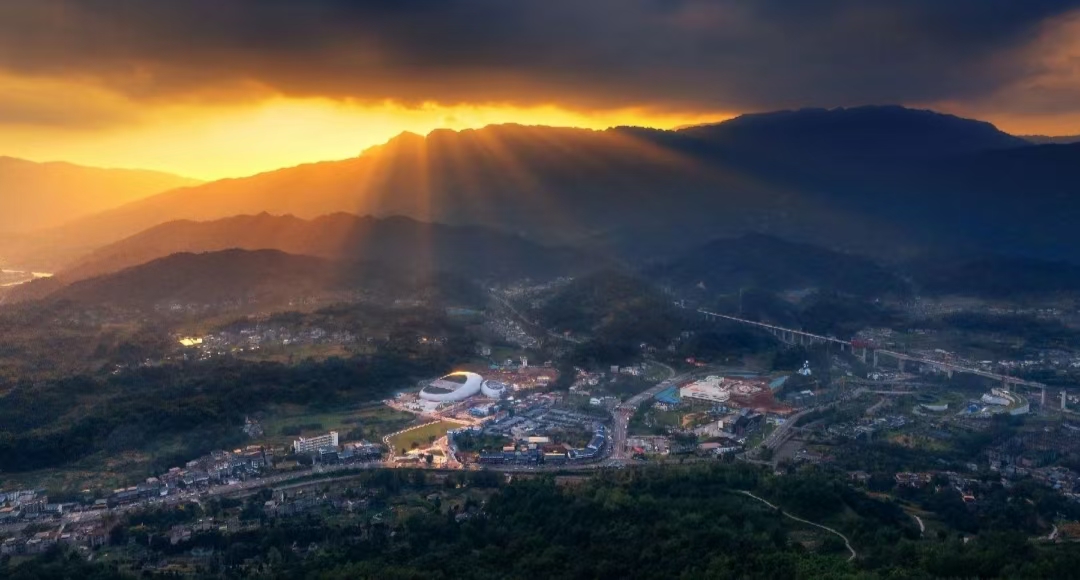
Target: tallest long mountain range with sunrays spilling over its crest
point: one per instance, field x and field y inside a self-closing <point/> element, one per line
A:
<point x="885" y="182"/>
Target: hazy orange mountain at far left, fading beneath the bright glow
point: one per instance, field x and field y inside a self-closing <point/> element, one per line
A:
<point x="37" y="196"/>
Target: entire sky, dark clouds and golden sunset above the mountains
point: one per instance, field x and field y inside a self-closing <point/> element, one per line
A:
<point x="212" y="89"/>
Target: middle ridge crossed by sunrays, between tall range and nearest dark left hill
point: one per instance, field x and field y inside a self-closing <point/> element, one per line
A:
<point x="409" y="245"/>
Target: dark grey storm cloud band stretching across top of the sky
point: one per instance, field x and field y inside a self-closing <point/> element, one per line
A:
<point x="686" y="55"/>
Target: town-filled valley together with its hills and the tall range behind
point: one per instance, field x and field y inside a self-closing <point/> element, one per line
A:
<point x="213" y="370"/>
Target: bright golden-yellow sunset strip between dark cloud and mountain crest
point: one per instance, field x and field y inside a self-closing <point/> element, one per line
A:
<point x="212" y="142"/>
